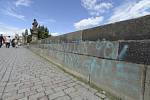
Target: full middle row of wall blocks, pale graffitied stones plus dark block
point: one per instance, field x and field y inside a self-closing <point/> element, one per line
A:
<point x="135" y="51"/>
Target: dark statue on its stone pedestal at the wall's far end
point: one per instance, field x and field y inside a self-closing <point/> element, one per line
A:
<point x="34" y="30"/>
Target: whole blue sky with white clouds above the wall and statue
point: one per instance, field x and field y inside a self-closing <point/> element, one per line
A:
<point x="64" y="16"/>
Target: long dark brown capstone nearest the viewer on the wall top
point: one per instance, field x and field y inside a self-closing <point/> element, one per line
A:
<point x="134" y="29"/>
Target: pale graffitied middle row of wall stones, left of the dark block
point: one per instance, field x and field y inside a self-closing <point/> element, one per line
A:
<point x="104" y="49"/>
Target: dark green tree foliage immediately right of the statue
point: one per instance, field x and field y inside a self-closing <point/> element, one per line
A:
<point x="43" y="32"/>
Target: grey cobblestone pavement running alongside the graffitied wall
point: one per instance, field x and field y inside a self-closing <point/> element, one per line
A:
<point x="26" y="76"/>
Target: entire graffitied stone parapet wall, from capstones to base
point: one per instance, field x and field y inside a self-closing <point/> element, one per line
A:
<point x="115" y="57"/>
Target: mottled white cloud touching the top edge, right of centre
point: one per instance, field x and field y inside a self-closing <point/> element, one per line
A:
<point x="96" y="7"/>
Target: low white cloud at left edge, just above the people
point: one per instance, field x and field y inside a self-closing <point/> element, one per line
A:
<point x="10" y="30"/>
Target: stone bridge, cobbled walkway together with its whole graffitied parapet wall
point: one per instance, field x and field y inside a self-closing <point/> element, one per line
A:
<point x="112" y="62"/>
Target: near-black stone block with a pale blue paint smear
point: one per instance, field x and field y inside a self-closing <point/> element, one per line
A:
<point x="135" y="52"/>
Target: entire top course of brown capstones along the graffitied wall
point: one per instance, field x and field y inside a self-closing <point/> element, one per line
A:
<point x="134" y="29"/>
